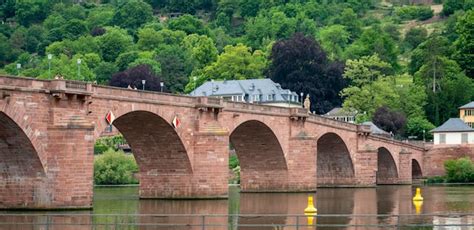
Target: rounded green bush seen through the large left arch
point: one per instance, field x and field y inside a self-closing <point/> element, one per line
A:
<point x="113" y="168"/>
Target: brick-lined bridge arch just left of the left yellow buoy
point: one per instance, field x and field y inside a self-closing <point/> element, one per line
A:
<point x="262" y="160"/>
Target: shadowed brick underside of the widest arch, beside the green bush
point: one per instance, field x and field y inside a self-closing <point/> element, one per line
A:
<point x="160" y="154"/>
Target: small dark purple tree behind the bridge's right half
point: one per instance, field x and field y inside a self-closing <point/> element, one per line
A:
<point x="389" y="120"/>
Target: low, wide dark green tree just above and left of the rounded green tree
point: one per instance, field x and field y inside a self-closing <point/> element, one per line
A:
<point x="189" y="24"/>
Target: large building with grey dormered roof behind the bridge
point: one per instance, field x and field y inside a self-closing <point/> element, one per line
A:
<point x="261" y="91"/>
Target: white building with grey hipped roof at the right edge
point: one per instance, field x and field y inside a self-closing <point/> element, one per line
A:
<point x="453" y="132"/>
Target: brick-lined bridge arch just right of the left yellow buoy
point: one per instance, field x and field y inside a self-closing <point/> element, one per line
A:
<point x="334" y="164"/>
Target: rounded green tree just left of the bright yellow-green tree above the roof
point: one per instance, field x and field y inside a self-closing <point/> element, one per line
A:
<point x="201" y="49"/>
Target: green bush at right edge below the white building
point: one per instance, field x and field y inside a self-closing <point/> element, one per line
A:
<point x="460" y="170"/>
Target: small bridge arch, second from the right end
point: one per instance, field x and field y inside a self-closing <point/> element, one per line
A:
<point x="387" y="172"/>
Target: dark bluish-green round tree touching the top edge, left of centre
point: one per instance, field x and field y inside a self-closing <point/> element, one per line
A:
<point x="132" y="14"/>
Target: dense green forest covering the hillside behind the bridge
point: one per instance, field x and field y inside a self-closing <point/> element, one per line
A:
<point x="406" y="65"/>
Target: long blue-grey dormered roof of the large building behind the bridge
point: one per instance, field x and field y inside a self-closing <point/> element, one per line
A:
<point x="250" y="87"/>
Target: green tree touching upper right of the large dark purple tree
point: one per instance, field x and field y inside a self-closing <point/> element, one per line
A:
<point x="334" y="39"/>
